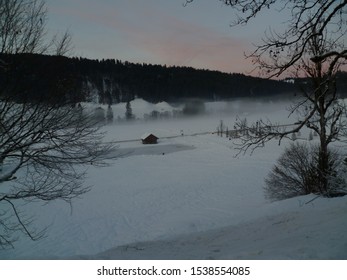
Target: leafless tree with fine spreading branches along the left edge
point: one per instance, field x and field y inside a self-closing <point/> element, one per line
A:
<point x="43" y="144"/>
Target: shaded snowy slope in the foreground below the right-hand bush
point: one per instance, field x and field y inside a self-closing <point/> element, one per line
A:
<point x="287" y="230"/>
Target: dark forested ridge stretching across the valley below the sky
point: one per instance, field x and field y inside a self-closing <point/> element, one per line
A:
<point x="110" y="81"/>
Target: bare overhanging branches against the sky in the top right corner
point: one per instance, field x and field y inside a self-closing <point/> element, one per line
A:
<point x="307" y="21"/>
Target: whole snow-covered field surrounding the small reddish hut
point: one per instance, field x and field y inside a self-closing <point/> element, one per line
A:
<point x="188" y="197"/>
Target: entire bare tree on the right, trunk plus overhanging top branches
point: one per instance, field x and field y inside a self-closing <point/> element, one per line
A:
<point x="312" y="45"/>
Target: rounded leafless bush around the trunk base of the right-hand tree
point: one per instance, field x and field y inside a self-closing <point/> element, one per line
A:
<point x="296" y="173"/>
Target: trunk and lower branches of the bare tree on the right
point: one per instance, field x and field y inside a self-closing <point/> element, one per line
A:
<point x="319" y="108"/>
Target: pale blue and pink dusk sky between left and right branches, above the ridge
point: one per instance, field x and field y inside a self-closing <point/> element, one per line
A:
<point x="160" y="32"/>
